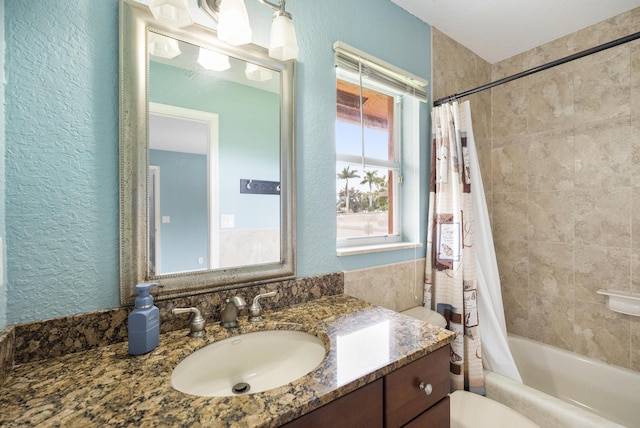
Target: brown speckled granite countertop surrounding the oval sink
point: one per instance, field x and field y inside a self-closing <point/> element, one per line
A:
<point x="107" y="386"/>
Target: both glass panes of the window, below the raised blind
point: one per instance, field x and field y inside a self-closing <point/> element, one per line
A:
<point x="368" y="162"/>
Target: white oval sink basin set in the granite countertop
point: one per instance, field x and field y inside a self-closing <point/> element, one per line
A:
<point x="249" y="363"/>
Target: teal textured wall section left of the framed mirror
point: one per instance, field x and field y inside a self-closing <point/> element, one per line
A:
<point x="61" y="142"/>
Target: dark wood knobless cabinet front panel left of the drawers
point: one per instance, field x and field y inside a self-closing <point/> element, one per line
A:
<point x="360" y="408"/>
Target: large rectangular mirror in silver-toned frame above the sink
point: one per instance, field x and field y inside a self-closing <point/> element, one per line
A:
<point x="206" y="160"/>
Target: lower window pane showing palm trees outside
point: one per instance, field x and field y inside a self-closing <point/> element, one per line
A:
<point x="362" y="201"/>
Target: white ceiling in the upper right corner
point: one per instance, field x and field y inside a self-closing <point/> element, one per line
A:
<point x="498" y="29"/>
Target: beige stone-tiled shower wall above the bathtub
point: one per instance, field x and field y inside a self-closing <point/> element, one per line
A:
<point x="561" y="166"/>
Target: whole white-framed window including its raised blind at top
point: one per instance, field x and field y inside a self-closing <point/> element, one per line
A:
<point x="370" y="104"/>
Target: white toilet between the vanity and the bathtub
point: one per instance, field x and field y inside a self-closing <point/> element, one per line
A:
<point x="469" y="410"/>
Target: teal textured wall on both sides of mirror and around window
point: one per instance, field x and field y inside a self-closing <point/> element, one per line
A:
<point x="61" y="141"/>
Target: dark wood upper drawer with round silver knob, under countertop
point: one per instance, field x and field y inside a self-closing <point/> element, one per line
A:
<point x="404" y="400"/>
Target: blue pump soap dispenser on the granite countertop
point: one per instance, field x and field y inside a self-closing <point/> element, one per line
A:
<point x="144" y="322"/>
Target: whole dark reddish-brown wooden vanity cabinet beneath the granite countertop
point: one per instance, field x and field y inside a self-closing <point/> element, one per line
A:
<point x="393" y="401"/>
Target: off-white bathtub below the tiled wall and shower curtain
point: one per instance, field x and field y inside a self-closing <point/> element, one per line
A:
<point x="563" y="389"/>
